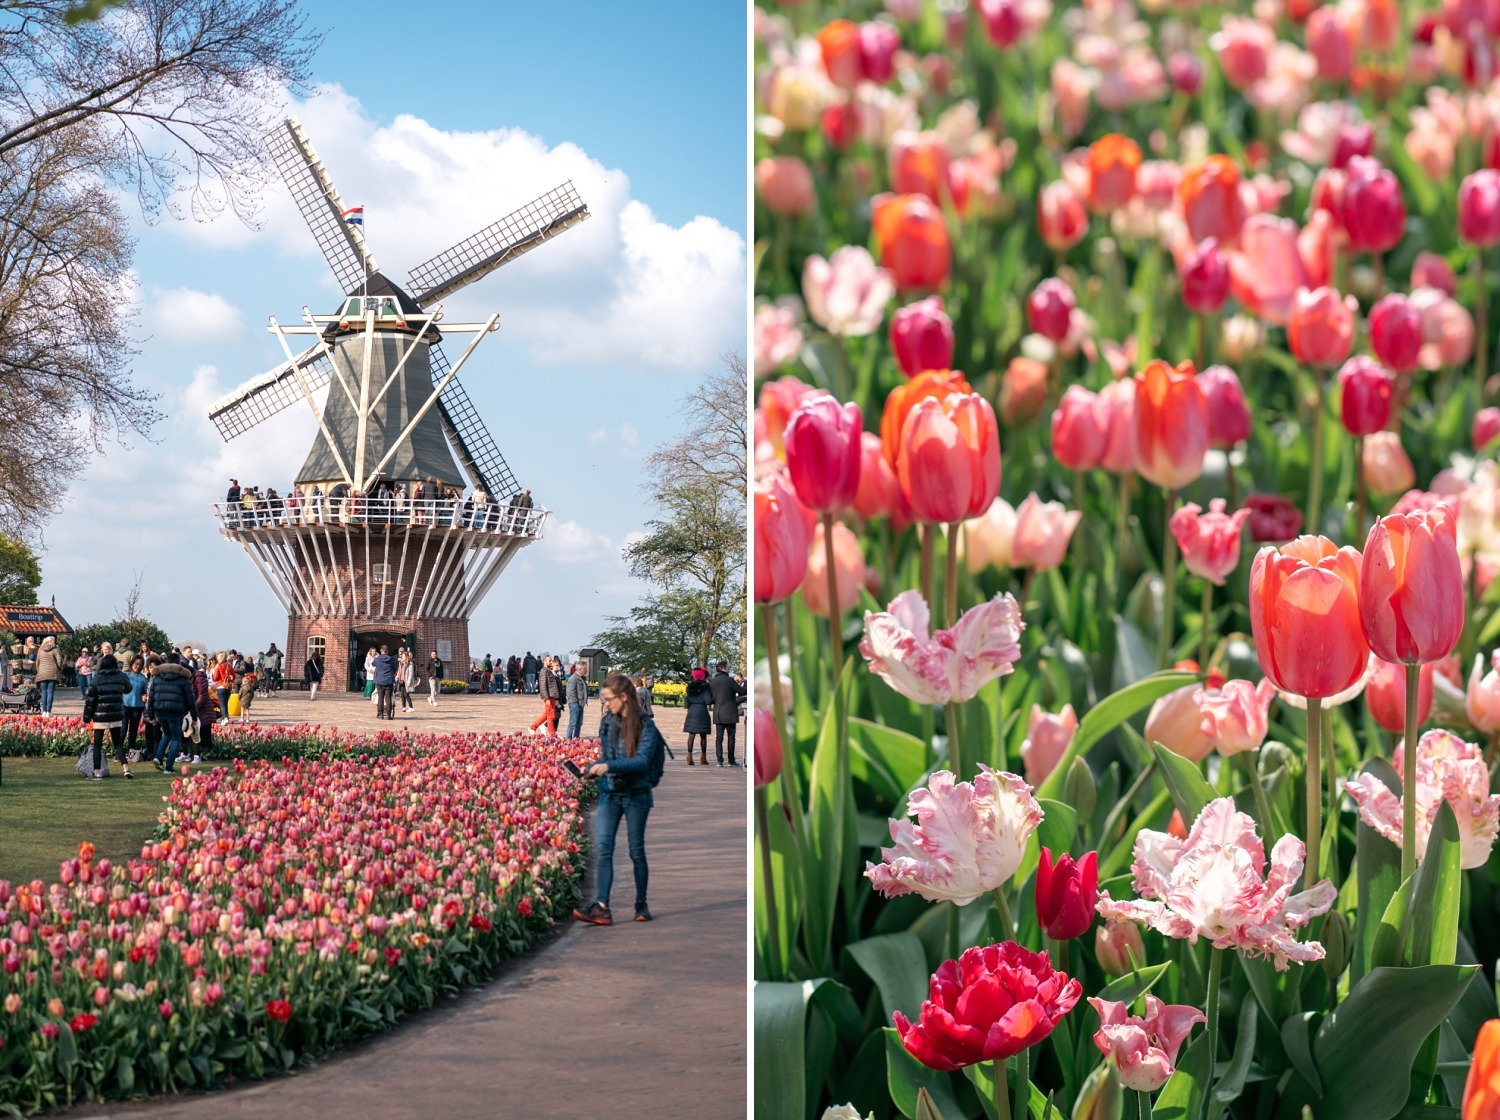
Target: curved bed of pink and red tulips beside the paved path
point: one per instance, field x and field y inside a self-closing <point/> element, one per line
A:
<point x="281" y="912"/>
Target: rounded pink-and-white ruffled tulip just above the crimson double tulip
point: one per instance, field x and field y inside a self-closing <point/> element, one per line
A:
<point x="967" y="842"/>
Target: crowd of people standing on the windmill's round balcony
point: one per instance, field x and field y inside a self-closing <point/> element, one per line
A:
<point x="386" y="503"/>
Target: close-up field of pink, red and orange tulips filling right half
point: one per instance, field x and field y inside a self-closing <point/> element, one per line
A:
<point x="1072" y="801"/>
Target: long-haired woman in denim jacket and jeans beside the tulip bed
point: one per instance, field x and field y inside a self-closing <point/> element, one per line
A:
<point x="629" y="744"/>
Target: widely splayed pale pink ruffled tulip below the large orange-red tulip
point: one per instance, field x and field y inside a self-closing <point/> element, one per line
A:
<point x="1210" y="885"/>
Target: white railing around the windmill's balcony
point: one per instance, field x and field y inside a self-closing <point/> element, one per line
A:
<point x="317" y="509"/>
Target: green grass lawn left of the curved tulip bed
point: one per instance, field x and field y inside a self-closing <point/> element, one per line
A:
<point x="47" y="810"/>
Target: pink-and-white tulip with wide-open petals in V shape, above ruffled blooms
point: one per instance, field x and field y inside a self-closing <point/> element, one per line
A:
<point x="949" y="665"/>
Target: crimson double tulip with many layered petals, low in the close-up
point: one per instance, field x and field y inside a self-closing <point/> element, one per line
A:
<point x="991" y="1004"/>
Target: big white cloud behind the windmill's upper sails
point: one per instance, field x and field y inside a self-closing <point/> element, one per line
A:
<point x="623" y="286"/>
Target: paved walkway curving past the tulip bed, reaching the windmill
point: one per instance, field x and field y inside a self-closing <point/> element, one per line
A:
<point x="637" y="1020"/>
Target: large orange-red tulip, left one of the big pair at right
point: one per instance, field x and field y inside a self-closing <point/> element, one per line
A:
<point x="1304" y="615"/>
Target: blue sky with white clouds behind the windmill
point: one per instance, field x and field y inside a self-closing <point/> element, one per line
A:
<point x="439" y="124"/>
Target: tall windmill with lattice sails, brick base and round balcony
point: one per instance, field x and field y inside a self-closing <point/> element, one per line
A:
<point x="362" y="553"/>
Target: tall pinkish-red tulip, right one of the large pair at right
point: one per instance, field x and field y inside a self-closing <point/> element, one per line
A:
<point x="1412" y="587"/>
